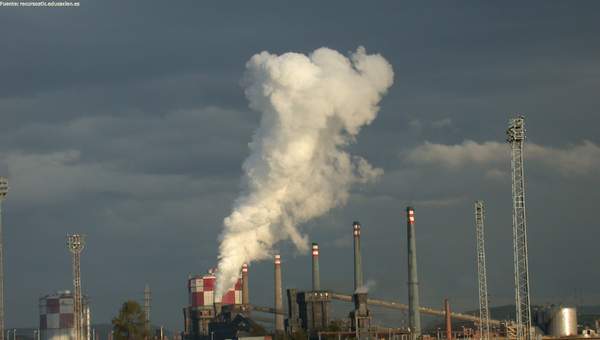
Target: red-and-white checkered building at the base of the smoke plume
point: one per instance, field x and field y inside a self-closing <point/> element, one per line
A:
<point x="202" y="308"/>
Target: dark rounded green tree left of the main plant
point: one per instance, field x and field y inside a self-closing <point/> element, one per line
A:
<point x="130" y="323"/>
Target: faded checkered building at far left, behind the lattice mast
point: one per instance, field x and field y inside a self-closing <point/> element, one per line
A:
<point x="57" y="317"/>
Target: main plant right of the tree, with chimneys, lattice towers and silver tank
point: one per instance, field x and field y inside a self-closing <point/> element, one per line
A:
<point x="309" y="313"/>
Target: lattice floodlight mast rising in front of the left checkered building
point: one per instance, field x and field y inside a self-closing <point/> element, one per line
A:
<point x="75" y="244"/>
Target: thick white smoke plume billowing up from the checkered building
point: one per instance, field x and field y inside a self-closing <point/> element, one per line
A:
<point x="312" y="108"/>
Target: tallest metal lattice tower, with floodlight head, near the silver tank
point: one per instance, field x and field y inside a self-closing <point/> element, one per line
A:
<point x="516" y="137"/>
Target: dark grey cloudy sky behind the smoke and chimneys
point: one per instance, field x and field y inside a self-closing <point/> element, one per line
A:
<point x="126" y="121"/>
